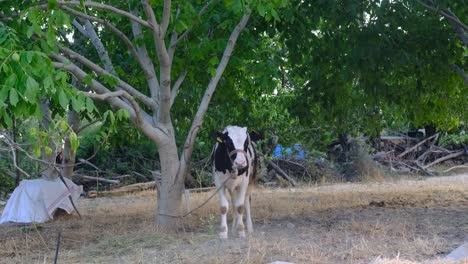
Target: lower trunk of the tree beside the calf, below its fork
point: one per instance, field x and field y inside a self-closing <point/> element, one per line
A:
<point x="169" y="188"/>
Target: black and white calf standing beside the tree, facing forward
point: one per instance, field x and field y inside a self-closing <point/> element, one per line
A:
<point x="234" y="169"/>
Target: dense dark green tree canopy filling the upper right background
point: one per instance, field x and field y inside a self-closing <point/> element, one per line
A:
<point x="361" y="64"/>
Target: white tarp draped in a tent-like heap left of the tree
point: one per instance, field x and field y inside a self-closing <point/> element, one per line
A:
<point x="35" y="201"/>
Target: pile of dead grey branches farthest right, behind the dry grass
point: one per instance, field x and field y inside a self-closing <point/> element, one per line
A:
<point x="404" y="154"/>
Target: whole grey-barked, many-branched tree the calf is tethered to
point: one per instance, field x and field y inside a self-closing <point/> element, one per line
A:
<point x="152" y="42"/>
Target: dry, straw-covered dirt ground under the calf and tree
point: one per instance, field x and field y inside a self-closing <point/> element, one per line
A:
<point x="404" y="221"/>
